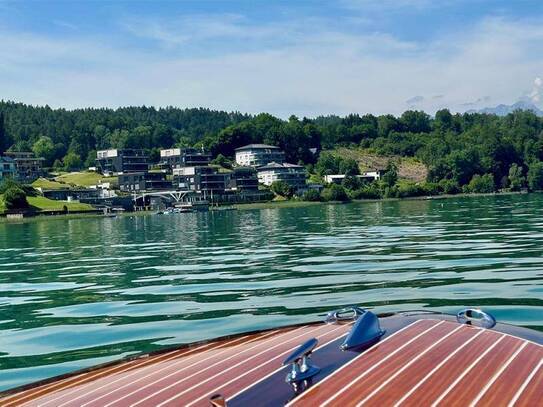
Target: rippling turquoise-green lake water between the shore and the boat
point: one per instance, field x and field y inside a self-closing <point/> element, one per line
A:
<point x="76" y="292"/>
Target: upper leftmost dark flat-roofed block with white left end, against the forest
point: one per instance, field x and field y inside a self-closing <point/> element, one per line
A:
<point x="122" y="161"/>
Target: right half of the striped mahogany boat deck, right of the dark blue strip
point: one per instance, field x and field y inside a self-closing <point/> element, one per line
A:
<point x="432" y="363"/>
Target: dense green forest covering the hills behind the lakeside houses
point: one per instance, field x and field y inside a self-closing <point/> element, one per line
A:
<point x="461" y="151"/>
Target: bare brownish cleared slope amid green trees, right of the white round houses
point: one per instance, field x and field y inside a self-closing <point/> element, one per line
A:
<point x="408" y="167"/>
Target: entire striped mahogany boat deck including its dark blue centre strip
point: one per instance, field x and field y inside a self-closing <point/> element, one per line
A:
<point x="429" y="362"/>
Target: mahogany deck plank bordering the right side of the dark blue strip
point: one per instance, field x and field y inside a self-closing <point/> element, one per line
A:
<point x="329" y="386"/>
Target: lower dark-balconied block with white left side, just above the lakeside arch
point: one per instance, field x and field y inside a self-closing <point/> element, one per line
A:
<point x="204" y="179"/>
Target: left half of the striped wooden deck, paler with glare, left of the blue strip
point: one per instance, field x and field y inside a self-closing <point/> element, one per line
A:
<point x="185" y="377"/>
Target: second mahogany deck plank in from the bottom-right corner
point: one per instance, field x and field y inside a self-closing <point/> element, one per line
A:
<point x="511" y="379"/>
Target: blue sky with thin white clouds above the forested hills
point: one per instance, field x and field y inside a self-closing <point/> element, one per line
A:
<point x="301" y="57"/>
